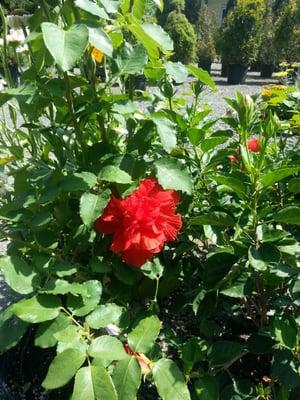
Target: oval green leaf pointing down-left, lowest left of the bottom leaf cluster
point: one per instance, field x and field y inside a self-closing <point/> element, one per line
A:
<point x="63" y="367"/>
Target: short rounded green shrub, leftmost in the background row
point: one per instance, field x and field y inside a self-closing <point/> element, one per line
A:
<point x="183" y="35"/>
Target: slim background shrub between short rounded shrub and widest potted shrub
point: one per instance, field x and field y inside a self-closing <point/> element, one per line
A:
<point x="205" y="50"/>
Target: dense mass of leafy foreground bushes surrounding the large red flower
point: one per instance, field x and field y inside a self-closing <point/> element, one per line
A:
<point x="95" y="181"/>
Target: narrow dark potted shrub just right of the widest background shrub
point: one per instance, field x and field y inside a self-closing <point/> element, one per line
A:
<point x="267" y="55"/>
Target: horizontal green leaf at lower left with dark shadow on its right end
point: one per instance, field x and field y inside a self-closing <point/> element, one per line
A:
<point x="37" y="309"/>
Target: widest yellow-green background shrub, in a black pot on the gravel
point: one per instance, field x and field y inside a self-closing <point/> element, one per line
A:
<point x="241" y="38"/>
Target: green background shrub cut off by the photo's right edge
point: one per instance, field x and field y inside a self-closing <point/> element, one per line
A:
<point x="287" y="31"/>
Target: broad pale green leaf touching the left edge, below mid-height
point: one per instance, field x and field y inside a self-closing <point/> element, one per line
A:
<point x="18" y="274"/>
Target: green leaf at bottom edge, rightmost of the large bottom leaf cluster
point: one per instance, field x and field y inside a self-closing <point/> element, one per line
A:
<point x="169" y="381"/>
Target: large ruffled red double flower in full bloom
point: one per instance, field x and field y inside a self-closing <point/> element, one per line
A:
<point x="142" y="222"/>
